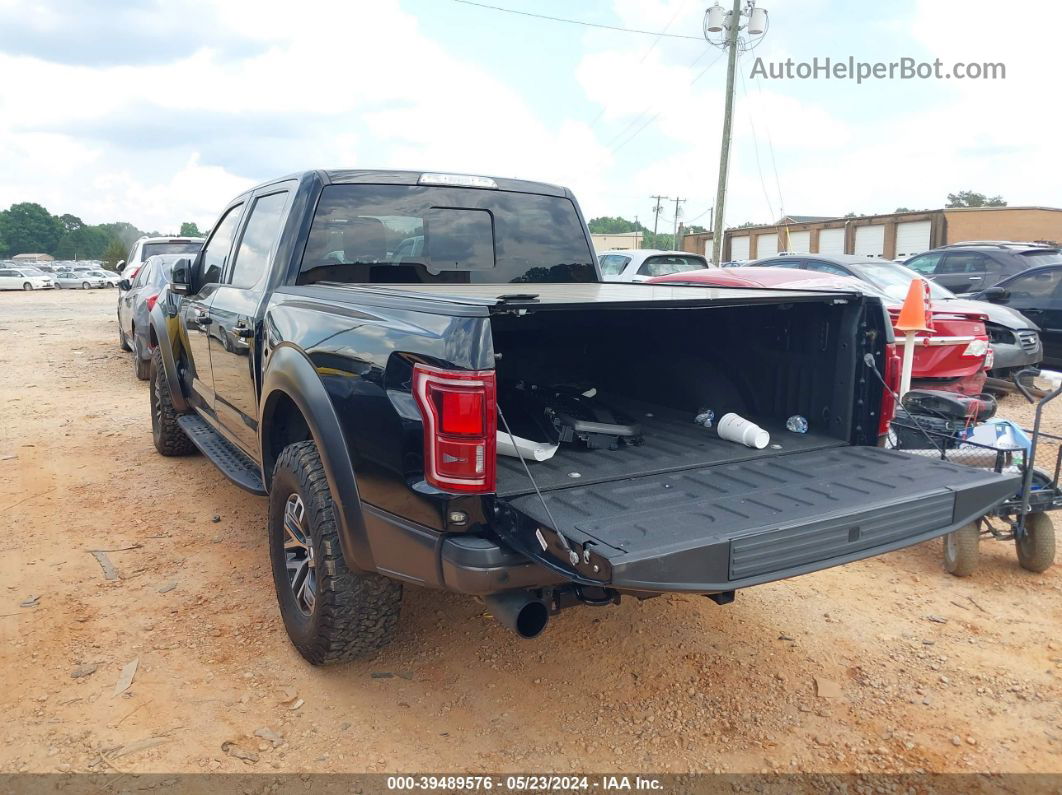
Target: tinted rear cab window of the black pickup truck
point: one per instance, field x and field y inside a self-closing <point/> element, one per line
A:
<point x="392" y="234"/>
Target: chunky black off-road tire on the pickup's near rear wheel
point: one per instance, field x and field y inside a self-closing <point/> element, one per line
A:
<point x="355" y="613"/>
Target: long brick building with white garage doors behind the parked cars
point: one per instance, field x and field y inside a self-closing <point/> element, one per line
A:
<point x="894" y="236"/>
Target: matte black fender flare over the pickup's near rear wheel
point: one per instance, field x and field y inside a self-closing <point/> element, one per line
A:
<point x="292" y="374"/>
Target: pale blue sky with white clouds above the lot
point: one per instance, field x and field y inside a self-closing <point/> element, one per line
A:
<point x="161" y="112"/>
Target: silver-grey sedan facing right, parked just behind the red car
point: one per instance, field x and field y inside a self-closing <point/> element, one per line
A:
<point x="1016" y="339"/>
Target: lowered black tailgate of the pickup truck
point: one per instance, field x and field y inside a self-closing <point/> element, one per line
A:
<point x="730" y="526"/>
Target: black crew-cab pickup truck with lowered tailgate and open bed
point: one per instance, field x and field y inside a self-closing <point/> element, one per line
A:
<point x="370" y="350"/>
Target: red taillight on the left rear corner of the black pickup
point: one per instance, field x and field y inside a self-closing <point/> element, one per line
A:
<point x="460" y="428"/>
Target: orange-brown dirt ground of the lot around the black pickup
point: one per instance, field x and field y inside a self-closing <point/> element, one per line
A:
<point x="888" y="665"/>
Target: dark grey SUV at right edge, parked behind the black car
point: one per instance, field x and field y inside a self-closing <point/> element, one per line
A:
<point x="971" y="267"/>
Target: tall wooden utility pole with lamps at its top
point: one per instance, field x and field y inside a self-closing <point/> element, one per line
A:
<point x="718" y="21"/>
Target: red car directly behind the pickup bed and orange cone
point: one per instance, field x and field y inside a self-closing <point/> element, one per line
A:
<point x="954" y="358"/>
